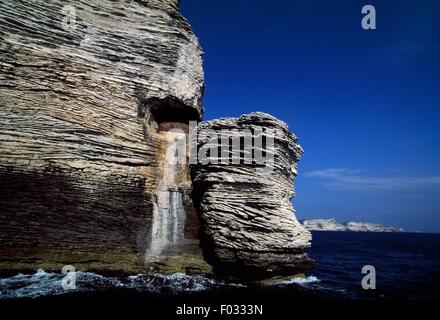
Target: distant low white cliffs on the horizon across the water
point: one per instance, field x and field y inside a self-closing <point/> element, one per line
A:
<point x="333" y="225"/>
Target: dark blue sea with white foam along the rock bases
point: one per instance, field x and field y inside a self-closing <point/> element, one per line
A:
<point x="407" y="268"/>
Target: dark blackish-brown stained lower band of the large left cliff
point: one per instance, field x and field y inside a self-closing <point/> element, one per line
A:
<point x="48" y="218"/>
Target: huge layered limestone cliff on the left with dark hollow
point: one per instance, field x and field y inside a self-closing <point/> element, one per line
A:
<point x="86" y="91"/>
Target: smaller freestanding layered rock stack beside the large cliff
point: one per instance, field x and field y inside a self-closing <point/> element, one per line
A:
<point x="248" y="223"/>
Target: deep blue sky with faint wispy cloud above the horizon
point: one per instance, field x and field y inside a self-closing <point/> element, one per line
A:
<point x="364" y="104"/>
